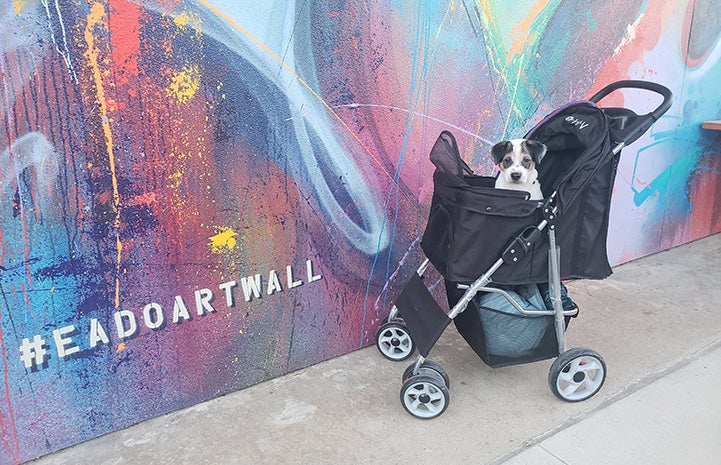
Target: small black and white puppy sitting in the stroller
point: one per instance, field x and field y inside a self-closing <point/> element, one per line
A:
<point x="517" y="160"/>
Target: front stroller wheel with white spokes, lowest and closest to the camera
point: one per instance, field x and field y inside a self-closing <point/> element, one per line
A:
<point x="425" y="397"/>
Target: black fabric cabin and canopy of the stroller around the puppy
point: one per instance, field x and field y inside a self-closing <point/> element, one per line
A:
<point x="471" y="223"/>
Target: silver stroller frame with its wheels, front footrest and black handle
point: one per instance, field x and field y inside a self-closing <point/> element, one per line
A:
<point x="576" y="374"/>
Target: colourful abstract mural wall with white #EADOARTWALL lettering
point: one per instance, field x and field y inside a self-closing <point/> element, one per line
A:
<point x="198" y="196"/>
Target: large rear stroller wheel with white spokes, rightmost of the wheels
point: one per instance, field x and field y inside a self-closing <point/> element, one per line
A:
<point x="577" y="375"/>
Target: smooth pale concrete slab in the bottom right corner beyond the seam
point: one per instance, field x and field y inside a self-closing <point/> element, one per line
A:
<point x="674" y="420"/>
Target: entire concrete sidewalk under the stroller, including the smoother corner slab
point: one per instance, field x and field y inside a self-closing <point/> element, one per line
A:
<point x="656" y="322"/>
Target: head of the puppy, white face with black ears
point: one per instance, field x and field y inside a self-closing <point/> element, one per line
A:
<point x="517" y="159"/>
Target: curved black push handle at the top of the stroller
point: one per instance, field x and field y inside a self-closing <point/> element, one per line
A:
<point x="633" y="126"/>
